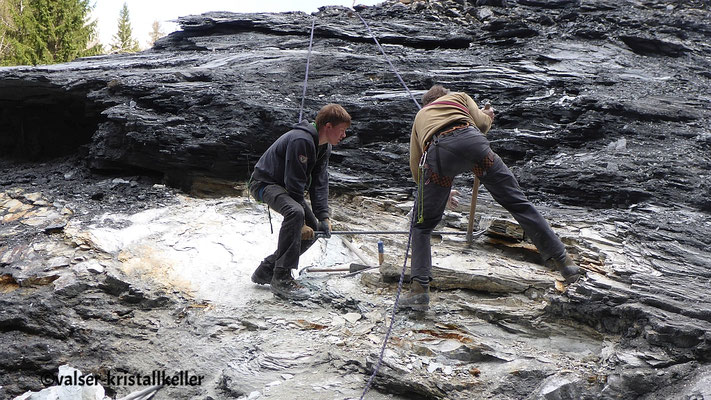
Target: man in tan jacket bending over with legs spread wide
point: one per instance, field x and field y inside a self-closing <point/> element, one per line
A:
<point x="445" y="143"/>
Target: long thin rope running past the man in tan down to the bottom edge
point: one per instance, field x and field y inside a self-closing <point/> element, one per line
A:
<point x="412" y="224"/>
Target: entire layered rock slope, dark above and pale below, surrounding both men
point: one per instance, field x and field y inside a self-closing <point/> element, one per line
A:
<point x="602" y="113"/>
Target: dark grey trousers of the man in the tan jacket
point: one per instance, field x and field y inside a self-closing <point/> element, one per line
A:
<point x="468" y="150"/>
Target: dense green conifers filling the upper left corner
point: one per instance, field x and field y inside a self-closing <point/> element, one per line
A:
<point x="46" y="31"/>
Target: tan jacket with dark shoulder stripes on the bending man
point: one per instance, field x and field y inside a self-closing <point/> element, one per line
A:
<point x="435" y="117"/>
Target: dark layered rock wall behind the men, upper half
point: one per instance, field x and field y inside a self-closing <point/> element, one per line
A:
<point x="568" y="79"/>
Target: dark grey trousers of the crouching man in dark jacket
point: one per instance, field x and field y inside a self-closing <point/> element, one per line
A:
<point x="289" y="246"/>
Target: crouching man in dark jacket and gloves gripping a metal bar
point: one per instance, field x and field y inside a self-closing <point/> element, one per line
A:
<point x="295" y="163"/>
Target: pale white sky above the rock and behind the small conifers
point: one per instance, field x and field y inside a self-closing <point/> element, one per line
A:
<point x="142" y="13"/>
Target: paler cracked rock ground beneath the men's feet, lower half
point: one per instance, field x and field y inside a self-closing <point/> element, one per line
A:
<point x="127" y="286"/>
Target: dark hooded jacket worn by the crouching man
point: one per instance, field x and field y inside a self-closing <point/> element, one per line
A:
<point x="296" y="162"/>
